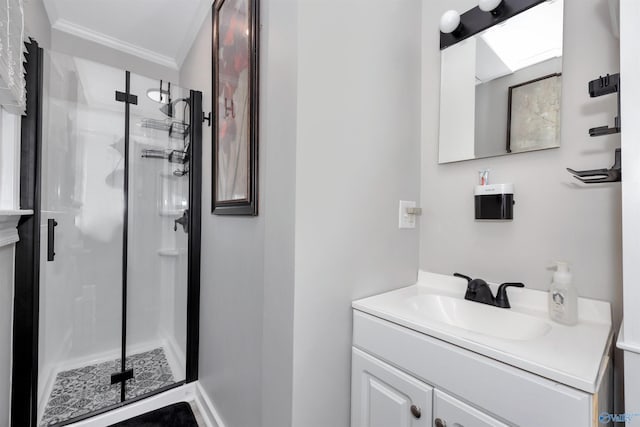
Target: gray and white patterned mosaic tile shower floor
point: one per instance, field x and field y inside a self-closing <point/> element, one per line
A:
<point x="80" y="391"/>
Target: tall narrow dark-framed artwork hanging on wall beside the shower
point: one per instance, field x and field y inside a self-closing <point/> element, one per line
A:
<point x="235" y="107"/>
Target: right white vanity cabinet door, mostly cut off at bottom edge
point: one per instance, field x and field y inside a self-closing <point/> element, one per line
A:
<point x="450" y="412"/>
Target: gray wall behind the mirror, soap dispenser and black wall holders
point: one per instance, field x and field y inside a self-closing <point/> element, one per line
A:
<point x="555" y="217"/>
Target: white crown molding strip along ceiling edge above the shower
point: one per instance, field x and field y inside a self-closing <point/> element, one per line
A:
<point x="88" y="34"/>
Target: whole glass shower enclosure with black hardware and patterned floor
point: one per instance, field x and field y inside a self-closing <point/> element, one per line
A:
<point x="119" y="238"/>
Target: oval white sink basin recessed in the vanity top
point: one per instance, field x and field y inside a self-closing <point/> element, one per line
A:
<point x="480" y="318"/>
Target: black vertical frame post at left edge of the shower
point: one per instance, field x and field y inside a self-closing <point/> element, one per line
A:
<point x="24" y="379"/>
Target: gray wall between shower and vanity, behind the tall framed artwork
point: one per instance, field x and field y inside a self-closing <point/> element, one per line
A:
<point x="334" y="163"/>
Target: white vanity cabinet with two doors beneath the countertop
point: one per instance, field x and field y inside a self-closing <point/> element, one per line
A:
<point x="395" y="368"/>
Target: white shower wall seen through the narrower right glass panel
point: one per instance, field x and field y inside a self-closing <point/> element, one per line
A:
<point x="158" y="257"/>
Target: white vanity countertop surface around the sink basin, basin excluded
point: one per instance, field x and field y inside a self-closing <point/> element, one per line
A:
<point x="571" y="355"/>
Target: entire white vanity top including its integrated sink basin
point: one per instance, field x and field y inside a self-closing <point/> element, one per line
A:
<point x="522" y="336"/>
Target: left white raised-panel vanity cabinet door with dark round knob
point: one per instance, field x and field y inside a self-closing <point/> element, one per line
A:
<point x="382" y="396"/>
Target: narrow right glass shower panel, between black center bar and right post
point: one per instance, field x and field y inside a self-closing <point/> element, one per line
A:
<point x="158" y="235"/>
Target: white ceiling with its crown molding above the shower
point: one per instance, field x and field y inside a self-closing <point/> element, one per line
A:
<point x="161" y="31"/>
